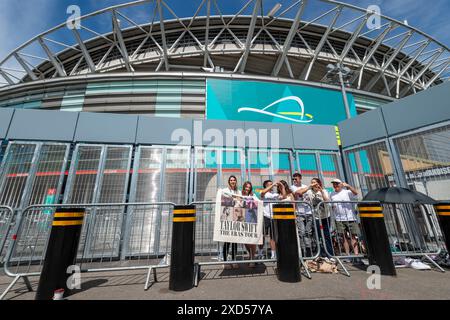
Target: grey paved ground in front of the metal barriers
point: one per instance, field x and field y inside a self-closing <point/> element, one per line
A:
<point x="260" y="283"/>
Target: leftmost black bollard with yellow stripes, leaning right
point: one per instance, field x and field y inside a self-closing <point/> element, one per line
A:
<point x="61" y="252"/>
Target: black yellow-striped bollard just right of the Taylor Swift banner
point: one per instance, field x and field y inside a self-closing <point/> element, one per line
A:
<point x="288" y="264"/>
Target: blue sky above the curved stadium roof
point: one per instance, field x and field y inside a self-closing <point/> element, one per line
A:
<point x="20" y="20"/>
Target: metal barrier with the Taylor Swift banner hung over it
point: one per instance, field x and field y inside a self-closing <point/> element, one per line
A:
<point x="209" y="252"/>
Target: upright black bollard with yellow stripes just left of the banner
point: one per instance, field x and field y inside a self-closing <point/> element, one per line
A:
<point x="183" y="245"/>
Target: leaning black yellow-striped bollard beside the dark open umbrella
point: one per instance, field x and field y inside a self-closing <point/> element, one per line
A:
<point x="376" y="237"/>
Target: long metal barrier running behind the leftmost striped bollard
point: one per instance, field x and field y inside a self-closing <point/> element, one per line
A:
<point x="115" y="237"/>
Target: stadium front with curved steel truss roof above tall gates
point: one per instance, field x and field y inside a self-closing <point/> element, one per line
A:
<point x="127" y="77"/>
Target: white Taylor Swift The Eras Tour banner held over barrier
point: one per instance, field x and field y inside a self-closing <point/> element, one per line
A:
<point x="238" y="219"/>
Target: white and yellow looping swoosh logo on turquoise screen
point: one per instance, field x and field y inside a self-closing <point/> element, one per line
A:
<point x="296" y="112"/>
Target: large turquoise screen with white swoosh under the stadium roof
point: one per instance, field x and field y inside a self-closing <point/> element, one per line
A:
<point x="274" y="102"/>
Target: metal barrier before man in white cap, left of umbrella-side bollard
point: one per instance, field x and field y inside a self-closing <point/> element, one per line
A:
<point x="341" y="231"/>
